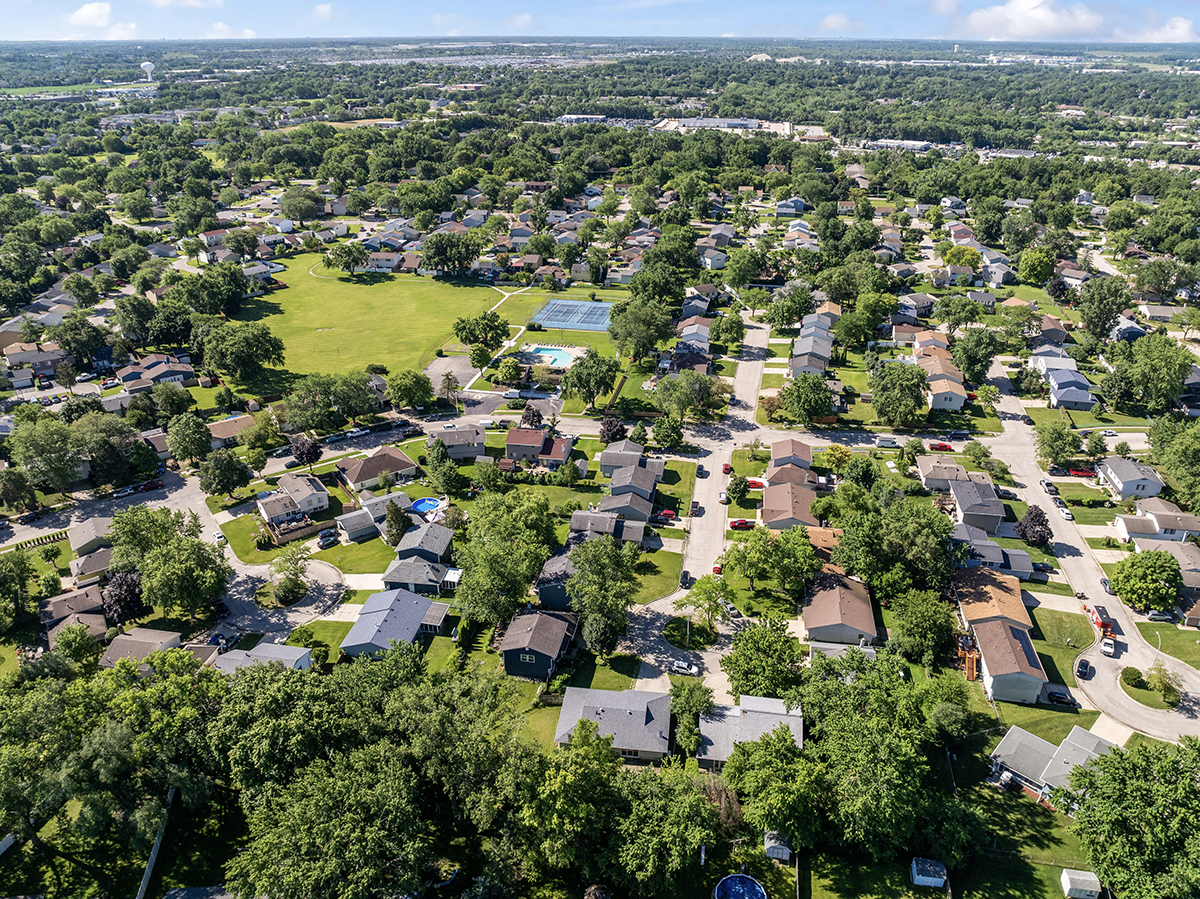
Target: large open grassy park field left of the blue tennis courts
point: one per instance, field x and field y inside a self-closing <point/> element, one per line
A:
<point x="322" y="320"/>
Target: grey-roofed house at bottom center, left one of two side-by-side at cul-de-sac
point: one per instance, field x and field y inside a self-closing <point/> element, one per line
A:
<point x="638" y="721"/>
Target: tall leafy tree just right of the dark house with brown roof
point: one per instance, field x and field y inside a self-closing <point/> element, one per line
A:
<point x="602" y="590"/>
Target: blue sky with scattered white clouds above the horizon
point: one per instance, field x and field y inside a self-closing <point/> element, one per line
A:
<point x="1085" y="21"/>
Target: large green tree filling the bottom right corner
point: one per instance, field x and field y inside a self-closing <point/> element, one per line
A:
<point x="1118" y="805"/>
